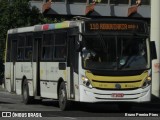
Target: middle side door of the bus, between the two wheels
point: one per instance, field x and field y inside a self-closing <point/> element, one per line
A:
<point x="37" y="55"/>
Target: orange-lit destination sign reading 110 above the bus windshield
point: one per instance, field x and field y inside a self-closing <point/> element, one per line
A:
<point x="91" y="26"/>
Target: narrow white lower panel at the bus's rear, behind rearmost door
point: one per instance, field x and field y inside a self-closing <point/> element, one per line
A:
<point x="8" y="76"/>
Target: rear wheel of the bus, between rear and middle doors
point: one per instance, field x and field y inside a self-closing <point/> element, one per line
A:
<point x="25" y="93"/>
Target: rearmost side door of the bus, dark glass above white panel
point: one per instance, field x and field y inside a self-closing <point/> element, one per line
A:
<point x="13" y="65"/>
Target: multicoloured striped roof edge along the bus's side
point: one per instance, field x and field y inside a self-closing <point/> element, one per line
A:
<point x="43" y="27"/>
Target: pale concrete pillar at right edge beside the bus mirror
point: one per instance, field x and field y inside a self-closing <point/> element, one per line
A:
<point x="155" y="36"/>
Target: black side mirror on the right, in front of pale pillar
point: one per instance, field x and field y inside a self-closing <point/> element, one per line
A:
<point x="153" y="50"/>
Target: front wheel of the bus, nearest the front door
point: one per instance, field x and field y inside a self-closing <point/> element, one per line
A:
<point x="64" y="104"/>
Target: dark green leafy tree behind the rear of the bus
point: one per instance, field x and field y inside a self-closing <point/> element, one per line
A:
<point x="14" y="14"/>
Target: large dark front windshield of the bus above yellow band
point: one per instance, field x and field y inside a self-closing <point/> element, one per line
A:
<point x="103" y="52"/>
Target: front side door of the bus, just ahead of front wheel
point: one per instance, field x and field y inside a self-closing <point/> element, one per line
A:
<point x="73" y="61"/>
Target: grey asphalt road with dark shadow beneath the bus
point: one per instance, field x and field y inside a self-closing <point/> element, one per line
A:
<point x="48" y="109"/>
